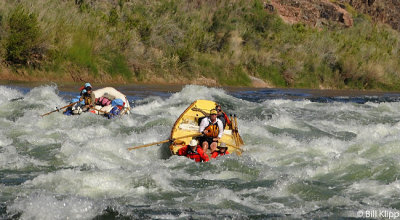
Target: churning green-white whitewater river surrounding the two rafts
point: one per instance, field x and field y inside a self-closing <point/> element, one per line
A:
<point x="305" y="156"/>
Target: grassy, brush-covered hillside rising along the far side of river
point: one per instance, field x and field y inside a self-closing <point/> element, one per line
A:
<point x="224" y="43"/>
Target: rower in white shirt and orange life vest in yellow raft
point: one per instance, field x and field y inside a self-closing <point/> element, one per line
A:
<point x="212" y="129"/>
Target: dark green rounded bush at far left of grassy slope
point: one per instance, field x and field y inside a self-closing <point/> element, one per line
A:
<point x="23" y="40"/>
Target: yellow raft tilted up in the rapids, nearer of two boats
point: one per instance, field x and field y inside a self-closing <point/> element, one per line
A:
<point x="187" y="125"/>
